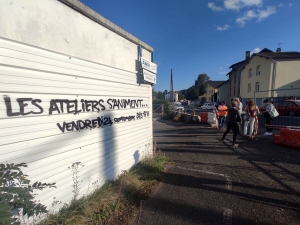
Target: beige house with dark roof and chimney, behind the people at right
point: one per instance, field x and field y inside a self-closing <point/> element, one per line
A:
<point x="270" y="74"/>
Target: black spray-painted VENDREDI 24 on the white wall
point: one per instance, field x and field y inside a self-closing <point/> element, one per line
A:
<point x="85" y="124"/>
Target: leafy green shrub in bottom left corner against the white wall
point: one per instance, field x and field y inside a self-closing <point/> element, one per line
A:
<point x="17" y="193"/>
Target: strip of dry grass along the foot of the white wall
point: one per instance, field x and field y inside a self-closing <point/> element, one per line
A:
<point x="117" y="201"/>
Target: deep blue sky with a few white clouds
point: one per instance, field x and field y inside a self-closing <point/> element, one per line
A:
<point x="204" y="36"/>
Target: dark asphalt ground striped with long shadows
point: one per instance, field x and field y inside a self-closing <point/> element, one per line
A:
<point x="209" y="182"/>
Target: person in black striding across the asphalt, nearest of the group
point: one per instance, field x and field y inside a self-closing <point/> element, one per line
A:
<point x="233" y="118"/>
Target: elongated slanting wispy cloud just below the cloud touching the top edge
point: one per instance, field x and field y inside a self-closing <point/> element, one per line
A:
<point x="256" y="14"/>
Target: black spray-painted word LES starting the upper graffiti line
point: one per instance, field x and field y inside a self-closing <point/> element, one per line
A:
<point x="23" y="102"/>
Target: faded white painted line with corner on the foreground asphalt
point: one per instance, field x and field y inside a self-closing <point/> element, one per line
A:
<point x="227" y="213"/>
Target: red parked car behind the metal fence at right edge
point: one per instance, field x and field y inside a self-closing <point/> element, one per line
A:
<point x="286" y="107"/>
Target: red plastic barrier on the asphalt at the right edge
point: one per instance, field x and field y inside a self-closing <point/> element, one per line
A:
<point x="288" y="137"/>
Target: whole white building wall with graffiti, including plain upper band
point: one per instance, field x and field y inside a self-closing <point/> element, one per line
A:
<point x="70" y="95"/>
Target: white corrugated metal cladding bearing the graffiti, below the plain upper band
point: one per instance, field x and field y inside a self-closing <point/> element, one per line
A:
<point x="37" y="128"/>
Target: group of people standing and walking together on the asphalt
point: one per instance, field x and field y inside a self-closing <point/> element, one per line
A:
<point x="234" y="119"/>
